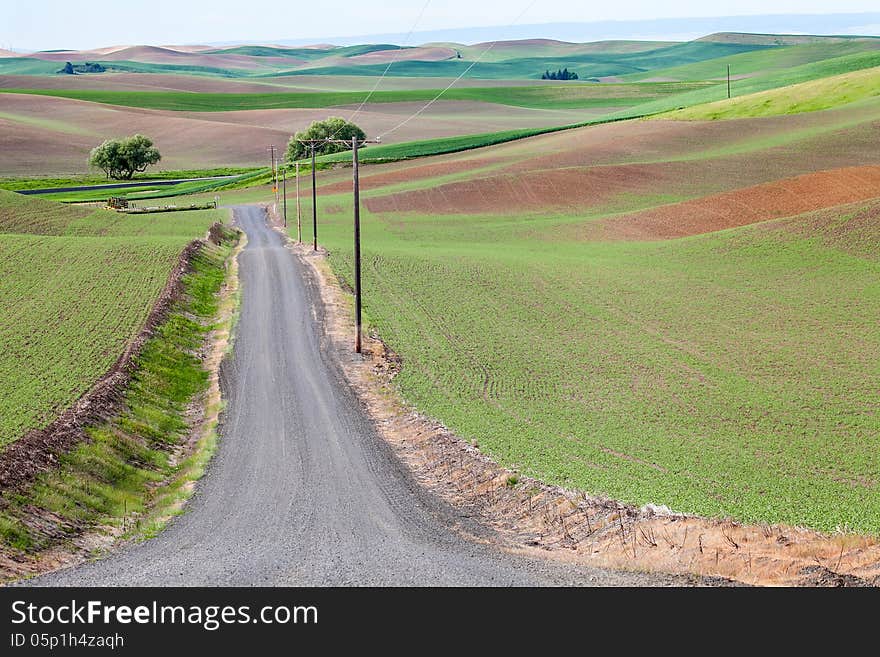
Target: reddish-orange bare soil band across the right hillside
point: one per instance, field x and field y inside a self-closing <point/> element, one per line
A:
<point x="783" y="198"/>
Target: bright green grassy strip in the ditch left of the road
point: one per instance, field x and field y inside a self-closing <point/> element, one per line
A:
<point x="136" y="466"/>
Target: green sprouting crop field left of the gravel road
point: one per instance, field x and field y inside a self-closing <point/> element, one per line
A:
<point x="52" y="257"/>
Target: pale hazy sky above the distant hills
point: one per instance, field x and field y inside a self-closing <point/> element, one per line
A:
<point x="55" y="24"/>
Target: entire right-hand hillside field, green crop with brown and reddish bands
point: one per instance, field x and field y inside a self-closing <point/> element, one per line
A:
<point x="729" y="372"/>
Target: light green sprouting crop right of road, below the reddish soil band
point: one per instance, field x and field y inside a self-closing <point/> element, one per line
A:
<point x="726" y="374"/>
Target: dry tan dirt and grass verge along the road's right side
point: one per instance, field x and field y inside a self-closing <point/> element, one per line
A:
<point x="532" y="517"/>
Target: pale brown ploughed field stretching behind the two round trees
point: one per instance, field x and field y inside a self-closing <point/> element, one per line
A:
<point x="46" y="135"/>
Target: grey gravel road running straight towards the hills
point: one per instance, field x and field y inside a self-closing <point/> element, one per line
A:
<point x="302" y="491"/>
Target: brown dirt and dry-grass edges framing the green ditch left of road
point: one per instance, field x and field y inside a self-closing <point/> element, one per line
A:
<point x="70" y="542"/>
